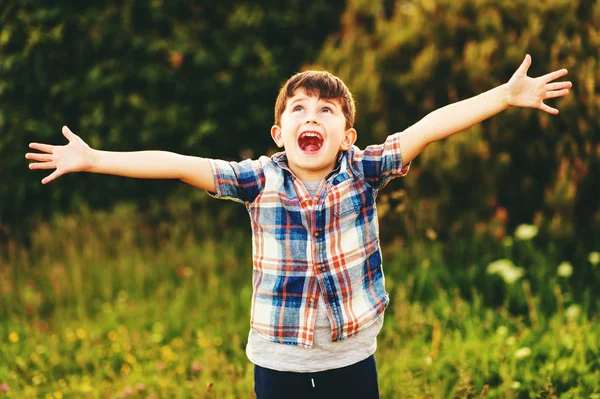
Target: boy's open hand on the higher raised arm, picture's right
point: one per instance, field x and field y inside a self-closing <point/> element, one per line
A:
<point x="524" y="91"/>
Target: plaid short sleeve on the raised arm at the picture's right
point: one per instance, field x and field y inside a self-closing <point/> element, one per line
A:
<point x="382" y="162"/>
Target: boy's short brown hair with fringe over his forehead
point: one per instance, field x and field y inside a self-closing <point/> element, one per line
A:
<point x="320" y="83"/>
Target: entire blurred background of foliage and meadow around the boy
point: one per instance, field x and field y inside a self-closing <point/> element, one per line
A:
<point x="120" y="287"/>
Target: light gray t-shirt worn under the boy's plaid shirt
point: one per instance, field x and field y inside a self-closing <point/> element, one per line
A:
<point x="324" y="355"/>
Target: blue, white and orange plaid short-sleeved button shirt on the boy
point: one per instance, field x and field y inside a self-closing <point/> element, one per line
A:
<point x="304" y="248"/>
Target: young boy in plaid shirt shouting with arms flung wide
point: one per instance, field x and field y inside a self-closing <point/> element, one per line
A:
<point x="318" y="286"/>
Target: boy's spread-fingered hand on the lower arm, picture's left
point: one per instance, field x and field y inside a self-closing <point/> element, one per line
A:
<point x="73" y="157"/>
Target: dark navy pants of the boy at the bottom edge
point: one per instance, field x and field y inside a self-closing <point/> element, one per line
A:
<point x="356" y="381"/>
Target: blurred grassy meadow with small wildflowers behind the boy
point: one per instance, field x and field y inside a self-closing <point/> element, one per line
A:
<point x="114" y="304"/>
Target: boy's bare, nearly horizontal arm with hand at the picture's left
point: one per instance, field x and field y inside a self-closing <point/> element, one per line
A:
<point x="77" y="156"/>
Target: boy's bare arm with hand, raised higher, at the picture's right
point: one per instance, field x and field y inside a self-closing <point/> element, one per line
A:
<point x="521" y="91"/>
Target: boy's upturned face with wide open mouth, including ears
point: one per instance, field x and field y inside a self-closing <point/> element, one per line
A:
<point x="313" y="132"/>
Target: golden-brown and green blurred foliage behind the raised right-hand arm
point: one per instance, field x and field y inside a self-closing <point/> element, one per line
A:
<point x="404" y="59"/>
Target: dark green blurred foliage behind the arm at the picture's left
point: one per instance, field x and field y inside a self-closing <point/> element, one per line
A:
<point x="199" y="78"/>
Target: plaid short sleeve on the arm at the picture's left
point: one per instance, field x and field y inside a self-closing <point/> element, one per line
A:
<point x="238" y="181"/>
